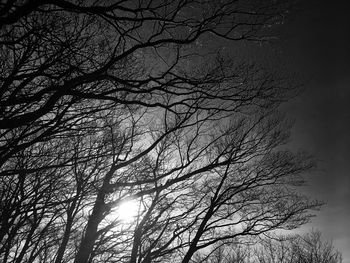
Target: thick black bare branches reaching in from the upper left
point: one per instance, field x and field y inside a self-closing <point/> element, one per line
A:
<point x="63" y="60"/>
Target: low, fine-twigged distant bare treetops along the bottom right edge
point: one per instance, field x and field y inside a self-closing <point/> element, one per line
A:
<point x="309" y="247"/>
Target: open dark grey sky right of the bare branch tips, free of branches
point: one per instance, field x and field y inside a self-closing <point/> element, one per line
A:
<point x="316" y="45"/>
